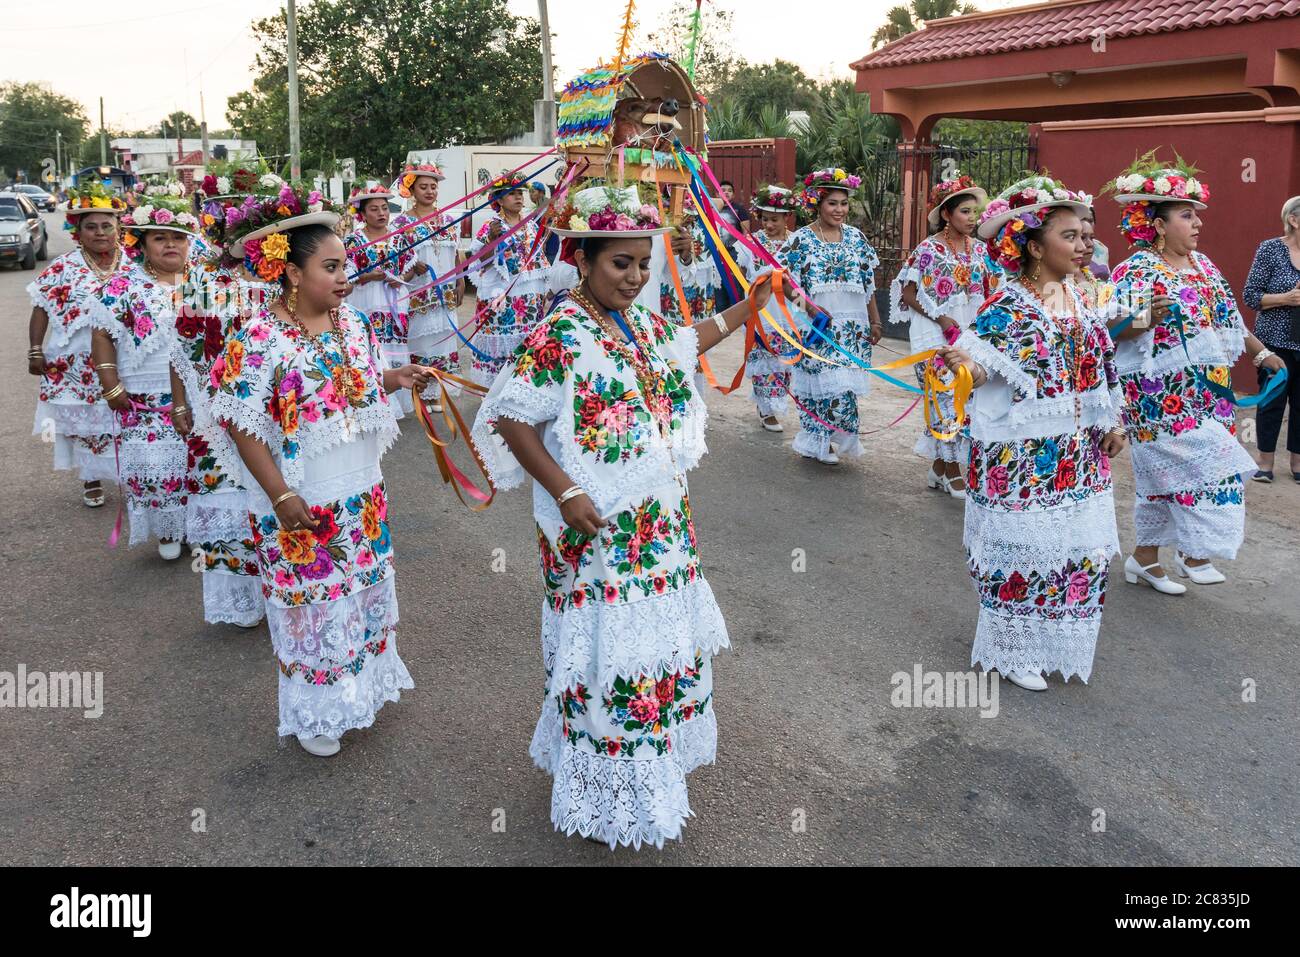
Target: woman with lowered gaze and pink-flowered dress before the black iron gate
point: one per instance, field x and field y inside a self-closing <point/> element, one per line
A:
<point x="939" y="289"/>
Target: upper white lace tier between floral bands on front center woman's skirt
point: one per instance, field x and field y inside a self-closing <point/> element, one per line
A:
<point x="660" y="634"/>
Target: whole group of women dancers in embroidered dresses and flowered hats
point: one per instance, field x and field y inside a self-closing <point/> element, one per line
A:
<point x="239" y="365"/>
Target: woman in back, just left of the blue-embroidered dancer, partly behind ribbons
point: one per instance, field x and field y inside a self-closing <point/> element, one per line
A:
<point x="769" y="371"/>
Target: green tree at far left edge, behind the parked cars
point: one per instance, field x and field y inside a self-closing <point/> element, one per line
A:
<point x="31" y="115"/>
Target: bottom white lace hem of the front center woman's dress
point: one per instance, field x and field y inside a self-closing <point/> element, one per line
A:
<point x="621" y="802"/>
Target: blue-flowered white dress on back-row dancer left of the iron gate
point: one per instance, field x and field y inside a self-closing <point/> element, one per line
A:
<point x="840" y="278"/>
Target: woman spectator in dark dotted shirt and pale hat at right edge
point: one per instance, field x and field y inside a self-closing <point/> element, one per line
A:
<point x="1273" y="289"/>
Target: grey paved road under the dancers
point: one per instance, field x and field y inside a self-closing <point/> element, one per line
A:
<point x="1160" y="742"/>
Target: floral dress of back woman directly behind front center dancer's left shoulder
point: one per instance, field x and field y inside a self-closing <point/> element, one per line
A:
<point x="512" y="289"/>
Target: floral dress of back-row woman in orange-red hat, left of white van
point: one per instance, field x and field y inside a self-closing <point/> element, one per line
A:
<point x="434" y="317"/>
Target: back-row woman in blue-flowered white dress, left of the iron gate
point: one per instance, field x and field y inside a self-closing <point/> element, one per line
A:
<point x="833" y="263"/>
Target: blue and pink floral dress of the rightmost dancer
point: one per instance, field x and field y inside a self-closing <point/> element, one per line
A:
<point x="1189" y="465"/>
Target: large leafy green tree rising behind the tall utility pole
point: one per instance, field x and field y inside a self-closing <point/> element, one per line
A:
<point x="376" y="83"/>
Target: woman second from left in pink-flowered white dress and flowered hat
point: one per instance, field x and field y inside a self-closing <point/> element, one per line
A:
<point x="135" y="322"/>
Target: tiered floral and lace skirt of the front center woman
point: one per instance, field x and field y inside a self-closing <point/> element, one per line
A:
<point x="630" y="627"/>
